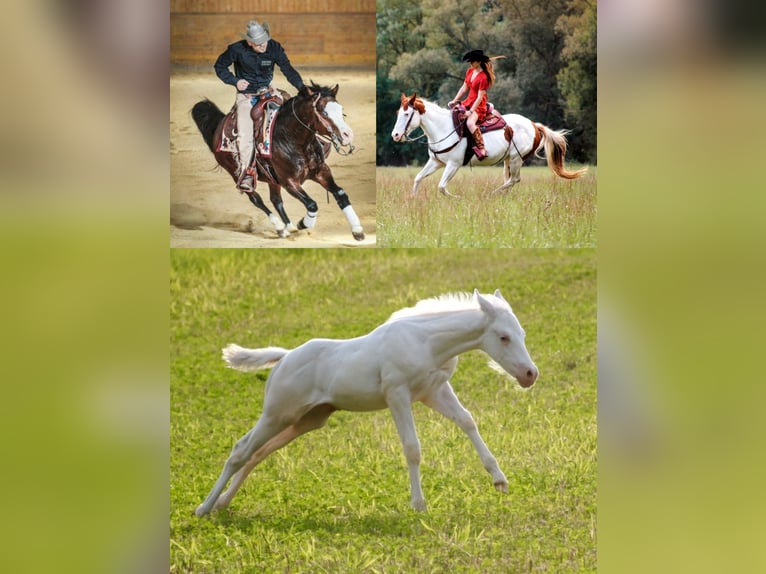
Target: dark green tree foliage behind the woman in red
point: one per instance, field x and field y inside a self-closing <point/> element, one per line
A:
<point x="548" y="74"/>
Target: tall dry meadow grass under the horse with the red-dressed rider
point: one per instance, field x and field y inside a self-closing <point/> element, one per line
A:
<point x="542" y="210"/>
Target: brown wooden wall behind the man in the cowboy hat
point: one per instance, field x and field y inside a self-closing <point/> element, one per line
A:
<point x="320" y="33"/>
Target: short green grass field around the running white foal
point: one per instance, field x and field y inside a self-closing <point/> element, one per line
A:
<point x="337" y="500"/>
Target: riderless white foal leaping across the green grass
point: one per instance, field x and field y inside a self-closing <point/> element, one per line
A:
<point x="411" y="357"/>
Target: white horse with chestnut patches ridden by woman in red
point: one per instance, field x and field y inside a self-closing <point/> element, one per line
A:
<point x="446" y="148"/>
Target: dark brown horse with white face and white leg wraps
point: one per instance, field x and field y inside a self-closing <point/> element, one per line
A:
<point x="297" y="154"/>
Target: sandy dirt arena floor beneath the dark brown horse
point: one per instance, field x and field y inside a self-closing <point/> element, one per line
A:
<point x="206" y="209"/>
